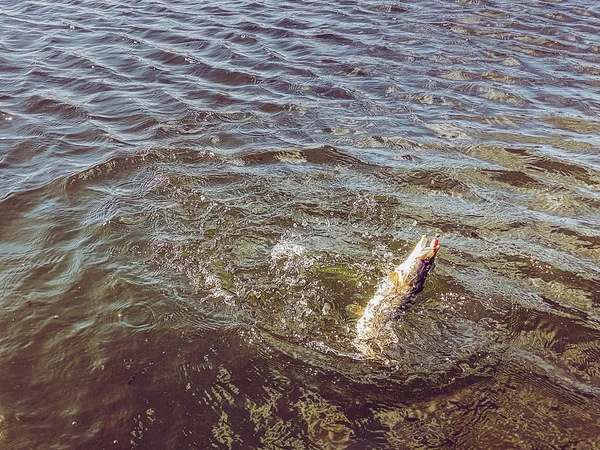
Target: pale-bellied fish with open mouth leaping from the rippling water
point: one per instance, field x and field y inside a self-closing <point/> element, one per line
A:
<point x="394" y="295"/>
